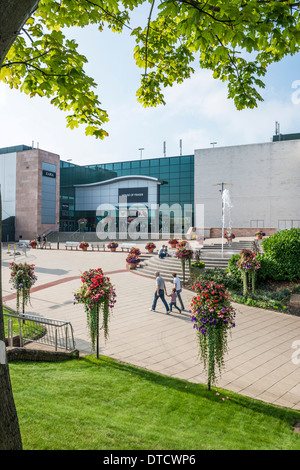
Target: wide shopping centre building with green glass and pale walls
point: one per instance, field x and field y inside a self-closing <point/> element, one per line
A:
<point x="42" y="193"/>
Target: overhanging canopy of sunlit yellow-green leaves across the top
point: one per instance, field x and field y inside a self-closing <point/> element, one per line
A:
<point x="235" y="39"/>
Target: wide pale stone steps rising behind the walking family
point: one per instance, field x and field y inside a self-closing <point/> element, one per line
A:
<point x="211" y="255"/>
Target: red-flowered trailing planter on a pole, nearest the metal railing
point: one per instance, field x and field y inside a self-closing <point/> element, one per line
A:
<point x="97" y="294"/>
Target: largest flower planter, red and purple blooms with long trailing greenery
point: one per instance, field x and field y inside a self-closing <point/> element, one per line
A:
<point x="213" y="316"/>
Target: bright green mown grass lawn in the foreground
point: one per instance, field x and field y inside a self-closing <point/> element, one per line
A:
<point x="90" y="404"/>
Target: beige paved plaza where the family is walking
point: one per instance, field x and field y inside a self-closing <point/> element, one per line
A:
<point x="259" y="362"/>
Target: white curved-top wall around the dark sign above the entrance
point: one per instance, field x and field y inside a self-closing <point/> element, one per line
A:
<point x="88" y="198"/>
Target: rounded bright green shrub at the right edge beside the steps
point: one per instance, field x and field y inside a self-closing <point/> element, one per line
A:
<point x="283" y="249"/>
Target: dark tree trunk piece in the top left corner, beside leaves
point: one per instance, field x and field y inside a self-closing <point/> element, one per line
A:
<point x="13" y="16"/>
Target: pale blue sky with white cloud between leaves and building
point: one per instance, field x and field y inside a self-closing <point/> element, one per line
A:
<point x="197" y="112"/>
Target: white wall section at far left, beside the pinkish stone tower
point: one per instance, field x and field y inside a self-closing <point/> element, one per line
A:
<point x="8" y="184"/>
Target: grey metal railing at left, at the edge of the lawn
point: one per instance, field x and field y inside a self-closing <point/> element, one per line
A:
<point x="47" y="331"/>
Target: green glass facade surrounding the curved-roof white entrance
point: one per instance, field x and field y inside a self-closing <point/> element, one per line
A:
<point x="177" y="174"/>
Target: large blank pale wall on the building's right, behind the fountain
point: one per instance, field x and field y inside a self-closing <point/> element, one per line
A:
<point x="264" y="184"/>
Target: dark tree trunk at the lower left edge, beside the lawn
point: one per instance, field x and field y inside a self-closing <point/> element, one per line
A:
<point x="10" y="437"/>
